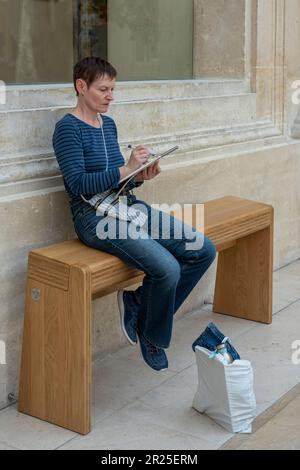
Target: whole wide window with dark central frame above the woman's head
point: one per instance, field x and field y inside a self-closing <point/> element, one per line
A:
<point x="40" y="40"/>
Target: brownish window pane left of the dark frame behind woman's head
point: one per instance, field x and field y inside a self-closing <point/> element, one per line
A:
<point x="36" y="44"/>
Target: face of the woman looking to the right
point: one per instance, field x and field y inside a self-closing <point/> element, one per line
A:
<point x="100" y="94"/>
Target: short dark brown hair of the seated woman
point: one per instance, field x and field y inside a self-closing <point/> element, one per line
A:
<point x="90" y="69"/>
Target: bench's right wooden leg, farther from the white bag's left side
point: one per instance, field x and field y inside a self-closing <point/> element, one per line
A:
<point x="244" y="278"/>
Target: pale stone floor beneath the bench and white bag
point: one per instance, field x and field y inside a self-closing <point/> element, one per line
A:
<point x="136" y="408"/>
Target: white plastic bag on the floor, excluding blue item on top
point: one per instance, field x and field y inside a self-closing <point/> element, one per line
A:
<point x="225" y="392"/>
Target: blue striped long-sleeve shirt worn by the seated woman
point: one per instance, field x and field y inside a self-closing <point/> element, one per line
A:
<point x="89" y="158"/>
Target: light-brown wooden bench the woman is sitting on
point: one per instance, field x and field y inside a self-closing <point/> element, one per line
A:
<point x="55" y="378"/>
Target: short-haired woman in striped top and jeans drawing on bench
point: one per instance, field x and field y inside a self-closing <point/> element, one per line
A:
<point x="86" y="146"/>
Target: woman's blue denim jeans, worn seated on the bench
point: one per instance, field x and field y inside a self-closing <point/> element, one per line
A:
<point x="171" y="269"/>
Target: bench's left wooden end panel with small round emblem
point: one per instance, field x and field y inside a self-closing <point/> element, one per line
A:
<point x="55" y="378"/>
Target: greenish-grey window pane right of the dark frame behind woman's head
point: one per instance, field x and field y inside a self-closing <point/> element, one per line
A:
<point x="151" y="39"/>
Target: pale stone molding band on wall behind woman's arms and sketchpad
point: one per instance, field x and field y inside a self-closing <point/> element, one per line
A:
<point x="23" y="174"/>
